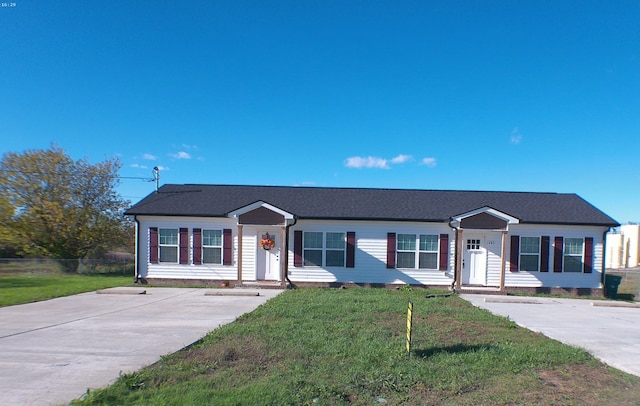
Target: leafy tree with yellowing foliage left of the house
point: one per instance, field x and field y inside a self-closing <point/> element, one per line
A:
<point x="60" y="208"/>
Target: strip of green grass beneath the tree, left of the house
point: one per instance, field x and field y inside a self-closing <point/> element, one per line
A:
<point x="21" y="284"/>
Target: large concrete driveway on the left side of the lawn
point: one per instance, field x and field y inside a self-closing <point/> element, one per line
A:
<point x="52" y="351"/>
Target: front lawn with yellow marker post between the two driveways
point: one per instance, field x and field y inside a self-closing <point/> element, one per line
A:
<point x="347" y="346"/>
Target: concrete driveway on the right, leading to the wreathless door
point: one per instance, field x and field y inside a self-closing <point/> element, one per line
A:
<point x="609" y="330"/>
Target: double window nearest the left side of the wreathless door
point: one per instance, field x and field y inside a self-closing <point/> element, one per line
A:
<point x="422" y="249"/>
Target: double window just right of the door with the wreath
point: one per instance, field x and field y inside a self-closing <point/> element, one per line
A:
<point x="319" y="246"/>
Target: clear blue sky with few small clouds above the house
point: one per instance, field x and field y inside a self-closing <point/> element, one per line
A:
<point x="537" y="96"/>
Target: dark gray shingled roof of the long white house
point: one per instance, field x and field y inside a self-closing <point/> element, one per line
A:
<point x="369" y="204"/>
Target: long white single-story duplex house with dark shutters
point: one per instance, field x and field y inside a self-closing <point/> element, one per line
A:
<point x="307" y="236"/>
